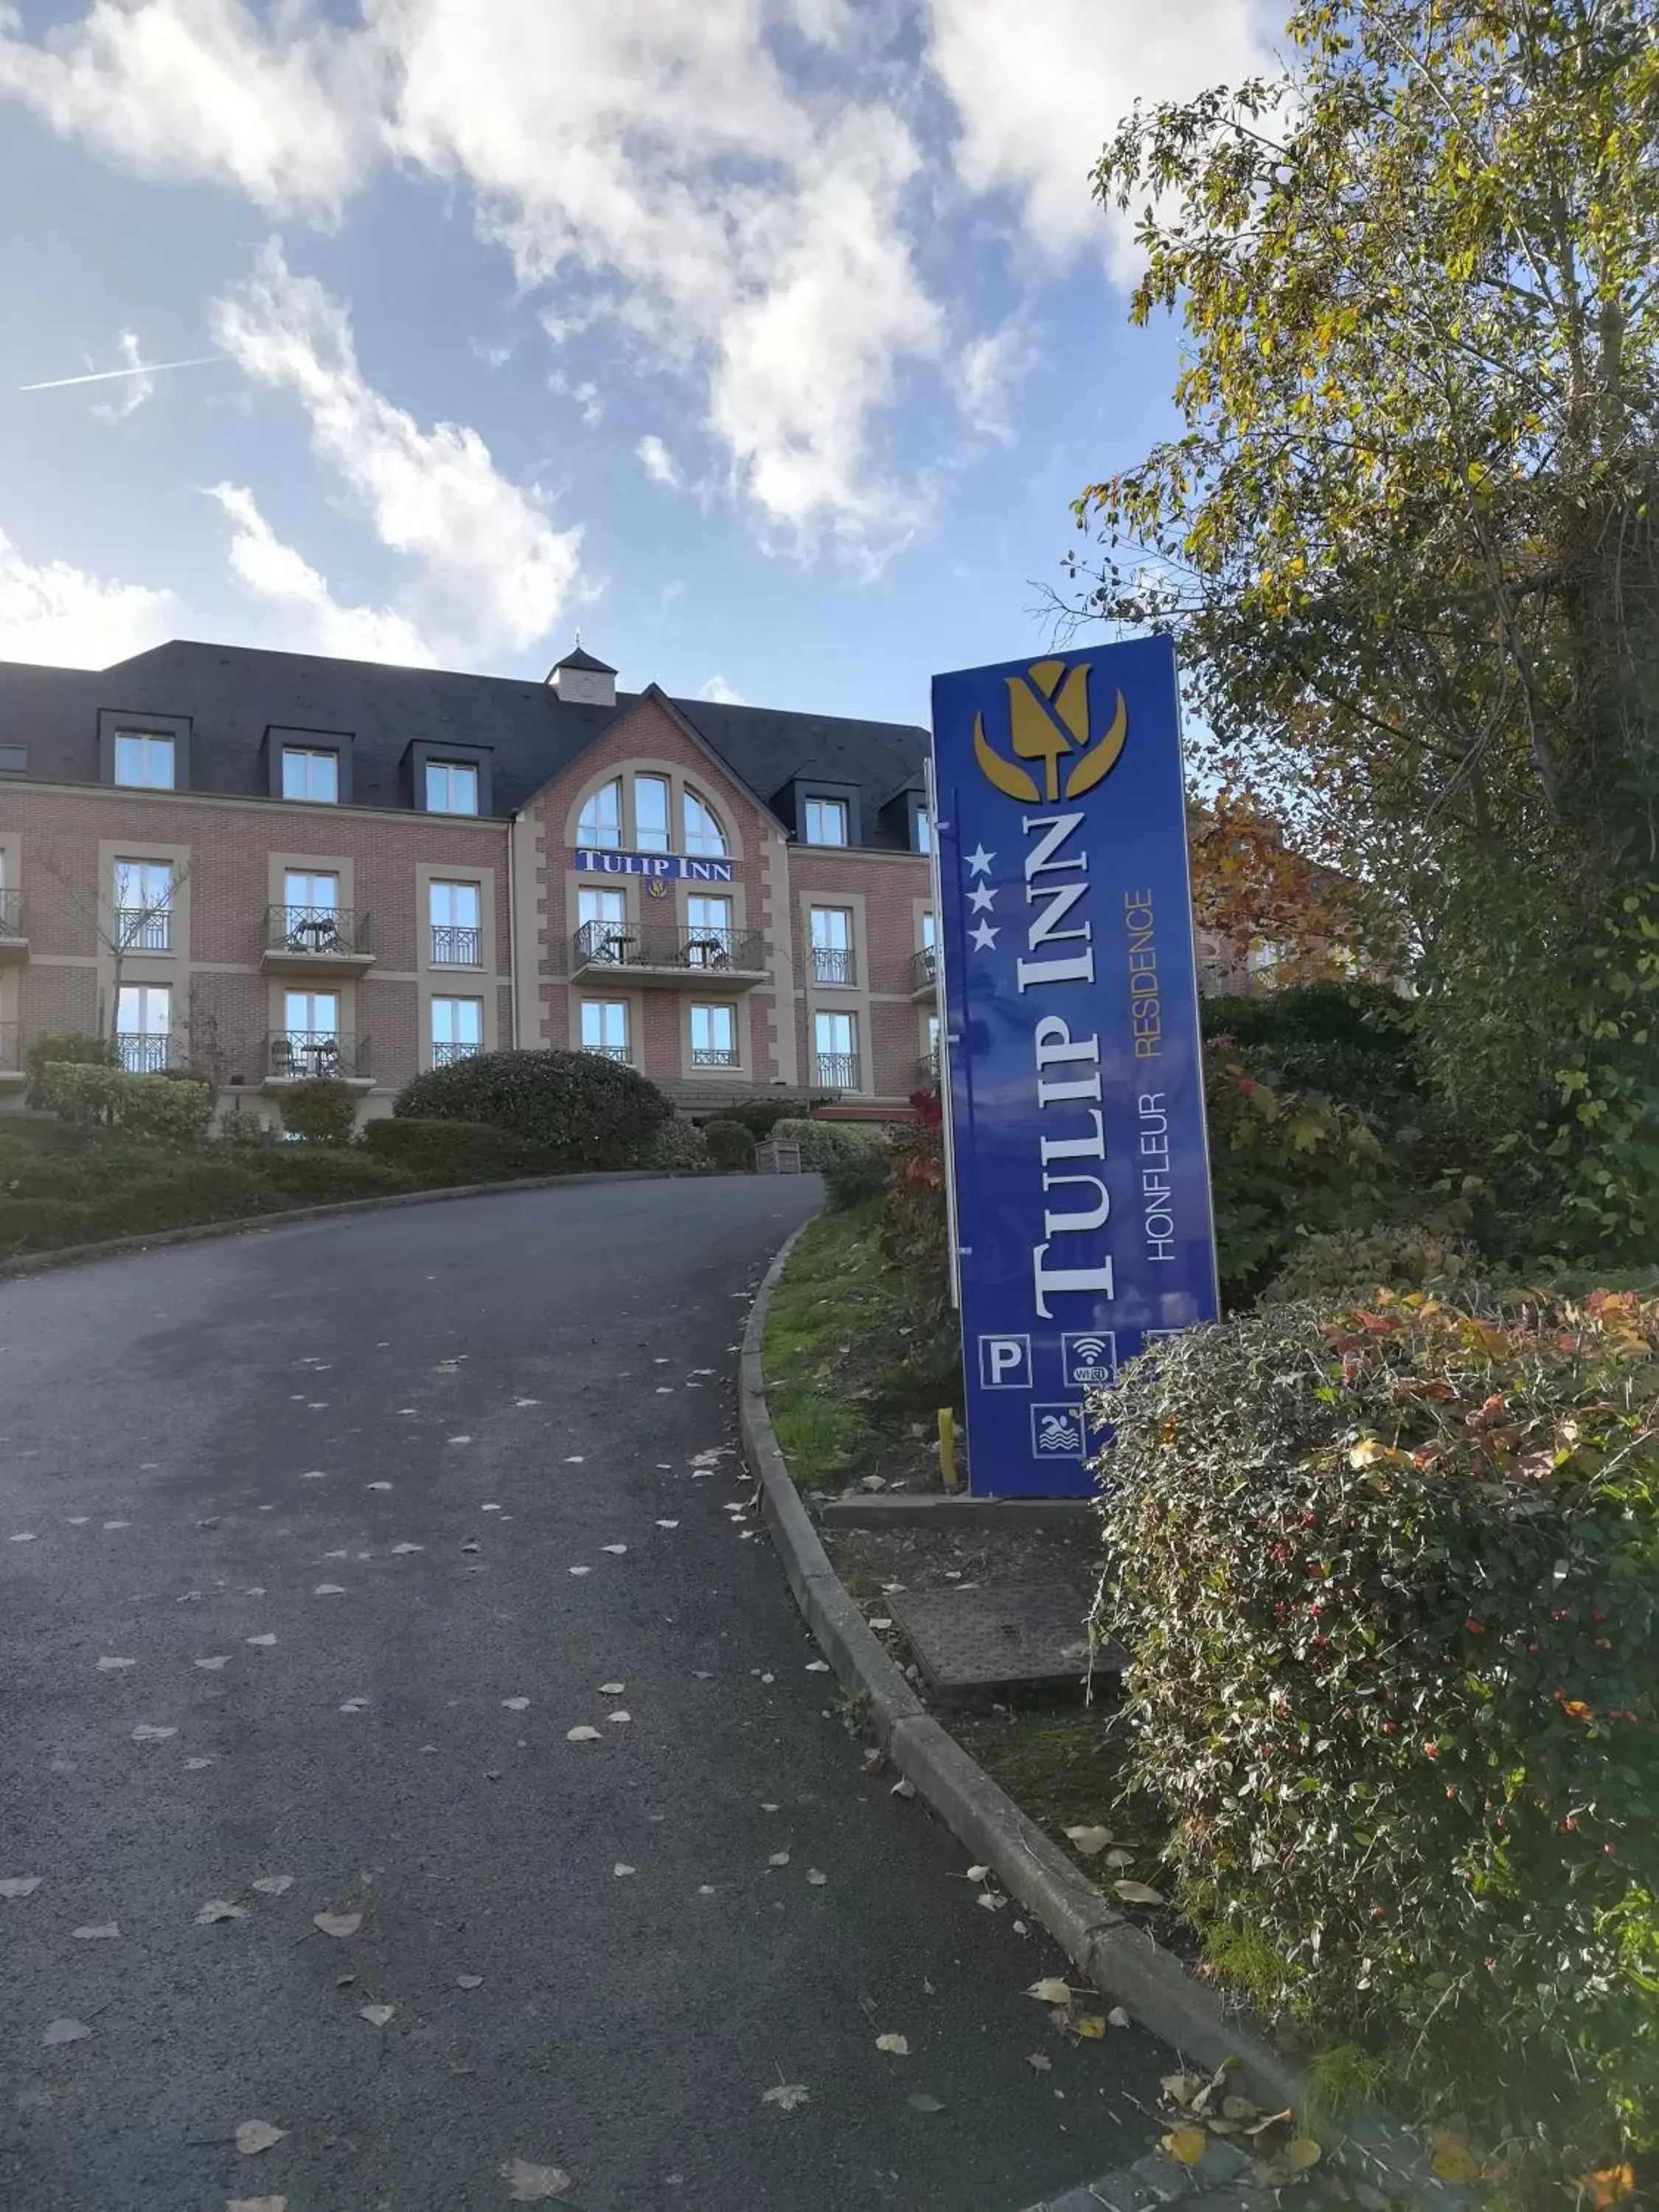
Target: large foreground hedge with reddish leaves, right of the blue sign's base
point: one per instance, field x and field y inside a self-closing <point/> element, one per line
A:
<point x="1392" y="1587"/>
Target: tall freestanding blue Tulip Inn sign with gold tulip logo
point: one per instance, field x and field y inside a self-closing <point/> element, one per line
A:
<point x="1081" y="1169"/>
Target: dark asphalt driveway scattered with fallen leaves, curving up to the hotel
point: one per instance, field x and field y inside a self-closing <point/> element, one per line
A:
<point x="315" y="1550"/>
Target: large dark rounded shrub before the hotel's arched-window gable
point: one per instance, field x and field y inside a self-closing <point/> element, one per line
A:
<point x="583" y="1109"/>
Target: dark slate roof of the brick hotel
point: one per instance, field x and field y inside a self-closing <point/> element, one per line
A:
<point x="236" y="693"/>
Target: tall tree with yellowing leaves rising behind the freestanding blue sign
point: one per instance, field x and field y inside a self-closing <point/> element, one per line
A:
<point x="1408" y="534"/>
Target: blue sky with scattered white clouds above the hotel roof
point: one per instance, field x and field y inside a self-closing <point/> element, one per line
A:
<point x="762" y="340"/>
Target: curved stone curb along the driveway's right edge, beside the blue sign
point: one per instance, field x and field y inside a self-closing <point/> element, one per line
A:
<point x="1120" y="1959"/>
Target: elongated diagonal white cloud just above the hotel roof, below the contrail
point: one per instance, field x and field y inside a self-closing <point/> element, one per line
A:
<point x="490" y="567"/>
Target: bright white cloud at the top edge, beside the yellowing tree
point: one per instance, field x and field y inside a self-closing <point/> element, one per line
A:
<point x="1041" y="87"/>
